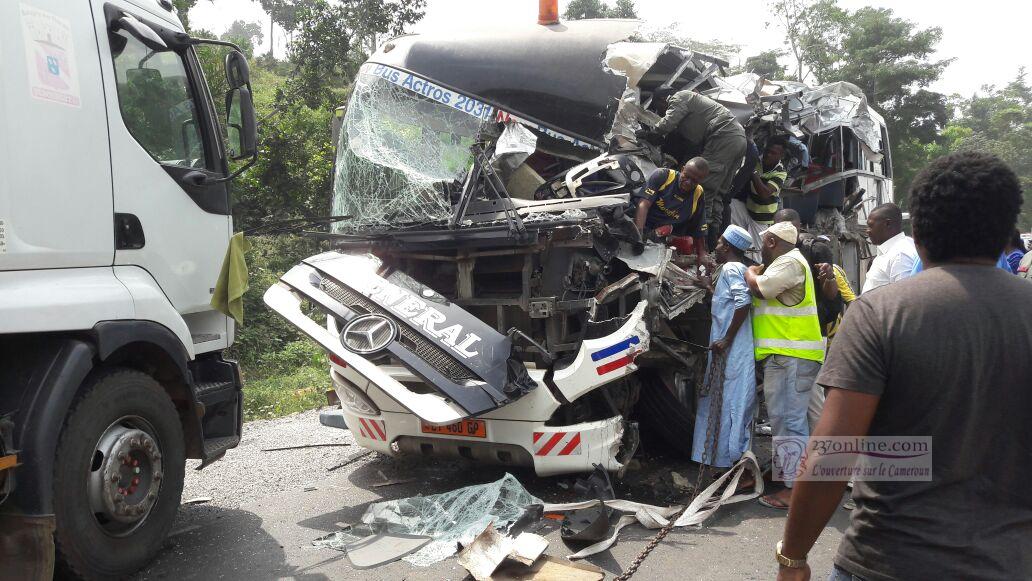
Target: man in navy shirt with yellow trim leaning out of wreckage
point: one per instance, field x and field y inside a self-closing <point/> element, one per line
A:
<point x="675" y="199"/>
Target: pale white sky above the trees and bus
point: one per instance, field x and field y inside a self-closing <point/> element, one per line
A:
<point x="988" y="41"/>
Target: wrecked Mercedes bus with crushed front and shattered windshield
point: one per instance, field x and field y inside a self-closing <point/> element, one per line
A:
<point x="490" y="297"/>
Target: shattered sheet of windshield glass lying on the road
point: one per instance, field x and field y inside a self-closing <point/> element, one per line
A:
<point x="450" y="519"/>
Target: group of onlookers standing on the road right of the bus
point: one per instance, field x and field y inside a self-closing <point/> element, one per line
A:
<point x="919" y="353"/>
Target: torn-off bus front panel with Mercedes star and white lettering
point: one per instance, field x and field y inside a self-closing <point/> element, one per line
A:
<point x="469" y="364"/>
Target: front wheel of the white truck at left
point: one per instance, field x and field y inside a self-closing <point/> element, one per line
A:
<point x="118" y="475"/>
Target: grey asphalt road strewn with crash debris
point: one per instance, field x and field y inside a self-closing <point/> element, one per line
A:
<point x="267" y="508"/>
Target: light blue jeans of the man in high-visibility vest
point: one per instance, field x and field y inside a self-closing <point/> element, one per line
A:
<point x="788" y="383"/>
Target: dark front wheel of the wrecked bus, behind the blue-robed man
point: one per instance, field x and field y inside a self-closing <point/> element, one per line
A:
<point x="667" y="407"/>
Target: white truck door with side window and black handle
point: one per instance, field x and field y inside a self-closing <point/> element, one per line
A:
<point x="166" y="151"/>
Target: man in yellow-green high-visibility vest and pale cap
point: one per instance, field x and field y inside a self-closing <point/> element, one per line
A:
<point x="788" y="340"/>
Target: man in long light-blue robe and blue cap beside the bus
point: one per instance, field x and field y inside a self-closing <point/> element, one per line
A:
<point x="731" y="342"/>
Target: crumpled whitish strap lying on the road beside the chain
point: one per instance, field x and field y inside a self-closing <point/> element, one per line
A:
<point x="721" y="492"/>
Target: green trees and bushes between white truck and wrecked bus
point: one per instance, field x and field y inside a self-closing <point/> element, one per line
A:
<point x="295" y="100"/>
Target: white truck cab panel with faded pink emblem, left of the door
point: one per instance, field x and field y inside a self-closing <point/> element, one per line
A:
<point x="55" y="174"/>
